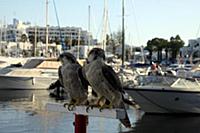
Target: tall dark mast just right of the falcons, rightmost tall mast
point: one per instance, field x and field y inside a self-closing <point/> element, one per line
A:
<point x="123" y="34"/>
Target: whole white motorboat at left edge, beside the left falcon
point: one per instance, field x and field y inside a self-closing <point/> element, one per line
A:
<point x="35" y="75"/>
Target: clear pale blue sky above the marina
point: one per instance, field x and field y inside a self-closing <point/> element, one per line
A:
<point x="144" y="19"/>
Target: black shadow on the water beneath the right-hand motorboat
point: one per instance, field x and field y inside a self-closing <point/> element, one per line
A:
<point x="167" y="124"/>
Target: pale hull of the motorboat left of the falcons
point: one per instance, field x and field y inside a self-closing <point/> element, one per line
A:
<point x="23" y="87"/>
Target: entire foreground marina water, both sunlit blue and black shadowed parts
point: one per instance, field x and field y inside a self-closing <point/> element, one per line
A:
<point x="23" y="117"/>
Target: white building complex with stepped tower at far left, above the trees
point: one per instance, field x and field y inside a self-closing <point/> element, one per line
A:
<point x="13" y="33"/>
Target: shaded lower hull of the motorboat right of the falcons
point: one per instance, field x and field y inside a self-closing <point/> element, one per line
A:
<point x="166" y="101"/>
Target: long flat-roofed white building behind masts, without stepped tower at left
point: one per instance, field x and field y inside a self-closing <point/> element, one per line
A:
<point x="70" y="35"/>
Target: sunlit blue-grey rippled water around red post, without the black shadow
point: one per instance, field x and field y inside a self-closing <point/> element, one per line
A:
<point x="23" y="117"/>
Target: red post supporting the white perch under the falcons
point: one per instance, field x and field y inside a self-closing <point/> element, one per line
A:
<point x="81" y="122"/>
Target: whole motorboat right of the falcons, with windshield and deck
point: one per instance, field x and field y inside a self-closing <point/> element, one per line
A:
<point x="166" y="94"/>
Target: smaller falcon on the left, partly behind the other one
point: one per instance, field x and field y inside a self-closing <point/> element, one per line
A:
<point x="72" y="80"/>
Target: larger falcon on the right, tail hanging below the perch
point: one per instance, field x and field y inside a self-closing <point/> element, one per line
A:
<point x="105" y="82"/>
